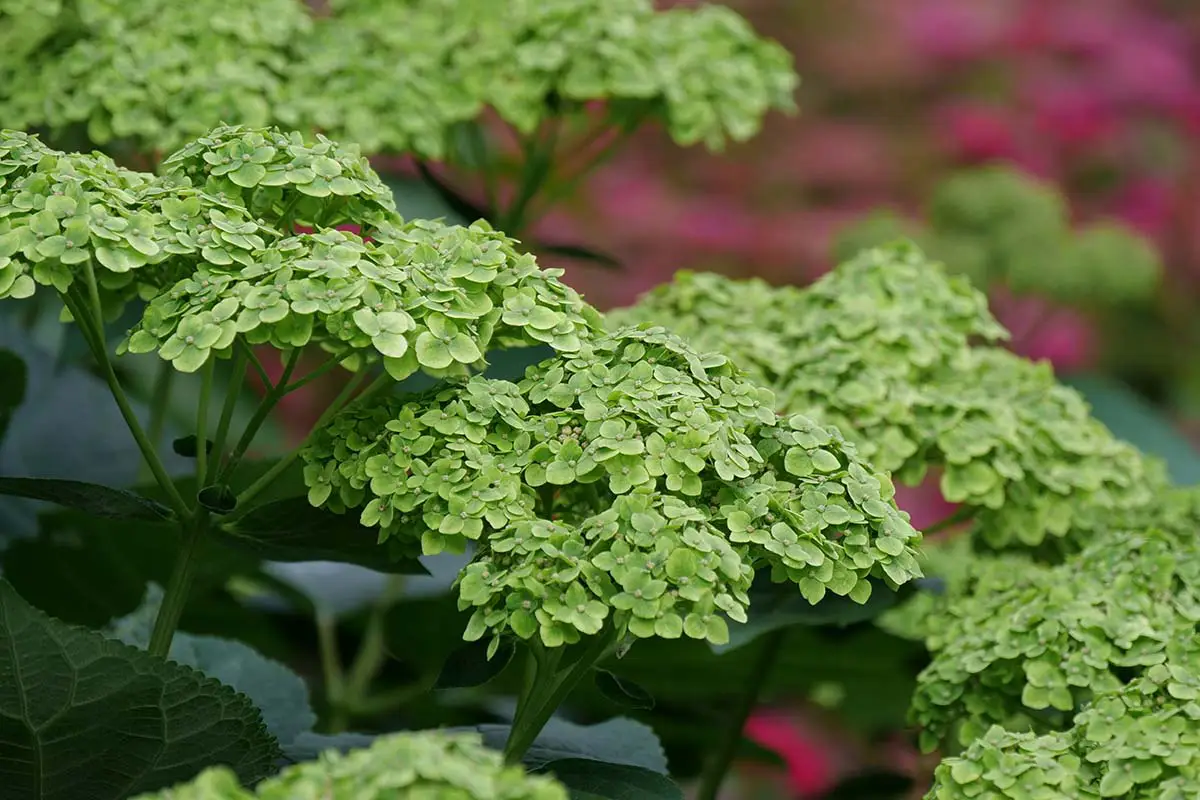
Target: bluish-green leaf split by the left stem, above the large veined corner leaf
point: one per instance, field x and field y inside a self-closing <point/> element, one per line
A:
<point x="277" y="691"/>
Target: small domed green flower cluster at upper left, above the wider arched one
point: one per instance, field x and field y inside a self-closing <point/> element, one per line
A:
<point x="284" y="181"/>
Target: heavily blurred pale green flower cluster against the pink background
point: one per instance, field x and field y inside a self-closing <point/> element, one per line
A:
<point x="997" y="225"/>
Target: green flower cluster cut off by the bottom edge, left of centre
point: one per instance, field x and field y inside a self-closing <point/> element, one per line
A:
<point x="427" y="765"/>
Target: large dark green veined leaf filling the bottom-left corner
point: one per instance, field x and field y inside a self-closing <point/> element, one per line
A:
<point x="86" y="717"/>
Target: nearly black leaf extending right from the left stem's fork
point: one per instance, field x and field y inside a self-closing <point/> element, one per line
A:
<point x="293" y="531"/>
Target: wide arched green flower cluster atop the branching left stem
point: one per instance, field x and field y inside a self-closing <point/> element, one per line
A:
<point x="418" y="296"/>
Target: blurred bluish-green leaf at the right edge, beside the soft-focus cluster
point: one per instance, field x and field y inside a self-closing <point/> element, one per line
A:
<point x="1141" y="424"/>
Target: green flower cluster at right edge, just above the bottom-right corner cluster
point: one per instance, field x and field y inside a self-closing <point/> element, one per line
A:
<point x="1030" y="648"/>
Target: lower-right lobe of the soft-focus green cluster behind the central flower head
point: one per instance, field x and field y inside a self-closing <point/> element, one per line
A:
<point x="1028" y="455"/>
